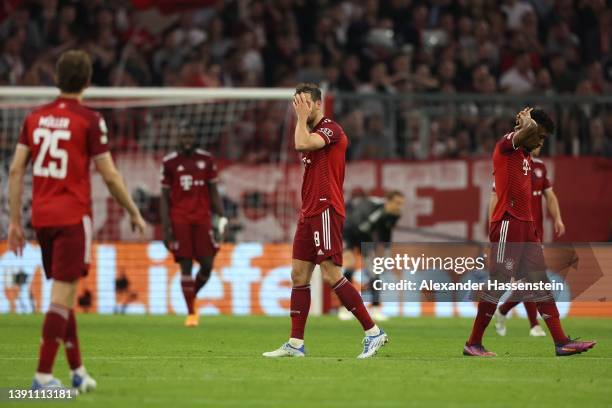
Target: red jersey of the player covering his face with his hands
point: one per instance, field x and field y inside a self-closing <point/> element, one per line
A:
<point x="324" y="171"/>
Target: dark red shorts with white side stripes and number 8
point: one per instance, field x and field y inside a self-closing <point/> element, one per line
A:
<point x="319" y="238"/>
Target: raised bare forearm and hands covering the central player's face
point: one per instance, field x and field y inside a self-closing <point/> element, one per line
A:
<point x="305" y="107"/>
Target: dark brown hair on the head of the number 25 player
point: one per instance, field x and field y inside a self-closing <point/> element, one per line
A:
<point x="73" y="71"/>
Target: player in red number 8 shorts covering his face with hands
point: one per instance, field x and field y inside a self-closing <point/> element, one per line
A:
<point x="318" y="238"/>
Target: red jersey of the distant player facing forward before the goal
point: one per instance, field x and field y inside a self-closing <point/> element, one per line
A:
<point x="187" y="178"/>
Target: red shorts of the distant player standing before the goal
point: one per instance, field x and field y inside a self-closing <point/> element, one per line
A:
<point x="193" y="241"/>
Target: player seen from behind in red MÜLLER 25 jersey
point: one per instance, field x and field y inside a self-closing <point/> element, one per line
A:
<point x="61" y="139"/>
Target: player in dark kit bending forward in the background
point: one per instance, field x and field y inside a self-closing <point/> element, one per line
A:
<point x="370" y="219"/>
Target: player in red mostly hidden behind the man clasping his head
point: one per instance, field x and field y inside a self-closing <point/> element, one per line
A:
<point x="541" y="187"/>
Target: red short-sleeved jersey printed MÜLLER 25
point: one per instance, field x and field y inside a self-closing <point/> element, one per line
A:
<point x="62" y="137"/>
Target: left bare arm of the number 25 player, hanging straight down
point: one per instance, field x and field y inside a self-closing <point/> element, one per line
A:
<point x="16" y="239"/>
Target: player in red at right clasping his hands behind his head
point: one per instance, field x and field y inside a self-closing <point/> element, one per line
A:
<point x="512" y="222"/>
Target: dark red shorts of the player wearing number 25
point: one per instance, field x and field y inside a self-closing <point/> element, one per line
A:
<point x="66" y="250"/>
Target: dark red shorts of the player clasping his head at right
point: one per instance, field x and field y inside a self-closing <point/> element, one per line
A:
<point x="517" y="249"/>
